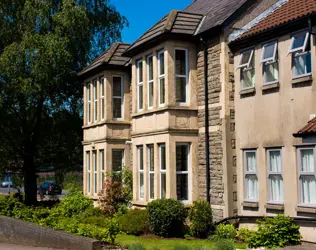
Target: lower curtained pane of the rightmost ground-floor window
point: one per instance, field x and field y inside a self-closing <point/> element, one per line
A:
<point x="308" y="189"/>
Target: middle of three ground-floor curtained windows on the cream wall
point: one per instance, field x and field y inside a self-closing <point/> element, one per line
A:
<point x="275" y="179"/>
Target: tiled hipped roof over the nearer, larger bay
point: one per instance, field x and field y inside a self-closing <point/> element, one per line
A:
<point x="177" y="22"/>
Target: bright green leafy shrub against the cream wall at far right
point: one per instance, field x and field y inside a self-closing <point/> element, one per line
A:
<point x="276" y="232"/>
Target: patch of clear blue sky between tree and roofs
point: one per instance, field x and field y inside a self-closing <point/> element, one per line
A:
<point x="142" y="14"/>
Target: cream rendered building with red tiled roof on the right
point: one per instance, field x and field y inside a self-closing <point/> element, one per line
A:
<point x="275" y="109"/>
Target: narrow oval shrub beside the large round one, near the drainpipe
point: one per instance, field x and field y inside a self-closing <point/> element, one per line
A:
<point x="200" y="215"/>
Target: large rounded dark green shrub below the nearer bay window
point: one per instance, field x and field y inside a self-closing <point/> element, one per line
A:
<point x="166" y="217"/>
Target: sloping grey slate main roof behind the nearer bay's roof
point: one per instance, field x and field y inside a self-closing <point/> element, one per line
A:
<point x="216" y="12"/>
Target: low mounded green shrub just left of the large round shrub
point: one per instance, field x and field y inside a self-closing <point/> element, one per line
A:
<point x="135" y="222"/>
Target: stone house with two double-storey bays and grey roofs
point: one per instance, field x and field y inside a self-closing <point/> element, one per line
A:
<point x="164" y="107"/>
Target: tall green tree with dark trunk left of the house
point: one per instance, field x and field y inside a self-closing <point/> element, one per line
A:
<point x="43" y="44"/>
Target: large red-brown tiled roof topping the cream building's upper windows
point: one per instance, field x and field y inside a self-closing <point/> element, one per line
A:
<point x="290" y="11"/>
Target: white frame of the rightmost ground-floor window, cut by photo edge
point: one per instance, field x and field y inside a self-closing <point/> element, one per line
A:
<point x="301" y="173"/>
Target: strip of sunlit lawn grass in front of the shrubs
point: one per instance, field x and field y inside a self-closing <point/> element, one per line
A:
<point x="165" y="244"/>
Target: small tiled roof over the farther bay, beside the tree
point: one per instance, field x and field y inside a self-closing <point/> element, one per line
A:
<point x="112" y="56"/>
